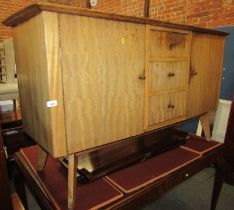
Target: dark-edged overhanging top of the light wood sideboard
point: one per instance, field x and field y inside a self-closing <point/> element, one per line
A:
<point x="34" y="9"/>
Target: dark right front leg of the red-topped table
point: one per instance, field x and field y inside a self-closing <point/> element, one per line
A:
<point x="218" y="183"/>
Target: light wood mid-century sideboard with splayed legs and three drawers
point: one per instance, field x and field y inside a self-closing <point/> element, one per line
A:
<point x="88" y="78"/>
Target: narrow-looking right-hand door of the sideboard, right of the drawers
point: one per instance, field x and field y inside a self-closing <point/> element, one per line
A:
<point x="205" y="73"/>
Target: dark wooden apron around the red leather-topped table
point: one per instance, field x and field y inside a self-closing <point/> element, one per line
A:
<point x="134" y="200"/>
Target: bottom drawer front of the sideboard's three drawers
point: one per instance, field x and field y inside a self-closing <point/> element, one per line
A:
<point x="166" y="107"/>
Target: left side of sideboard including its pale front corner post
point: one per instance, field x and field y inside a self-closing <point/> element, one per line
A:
<point x="38" y="67"/>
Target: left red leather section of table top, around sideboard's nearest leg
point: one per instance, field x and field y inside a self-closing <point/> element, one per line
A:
<point x="54" y="179"/>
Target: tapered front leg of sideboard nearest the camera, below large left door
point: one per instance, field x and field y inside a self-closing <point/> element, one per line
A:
<point x="72" y="171"/>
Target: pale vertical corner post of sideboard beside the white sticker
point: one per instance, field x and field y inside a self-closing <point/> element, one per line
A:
<point x="58" y="134"/>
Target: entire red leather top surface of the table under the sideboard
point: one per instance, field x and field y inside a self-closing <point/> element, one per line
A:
<point x="100" y="193"/>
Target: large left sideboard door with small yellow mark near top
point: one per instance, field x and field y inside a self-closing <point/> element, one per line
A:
<point x="101" y="63"/>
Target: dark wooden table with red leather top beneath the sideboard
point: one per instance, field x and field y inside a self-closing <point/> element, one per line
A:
<point x="128" y="188"/>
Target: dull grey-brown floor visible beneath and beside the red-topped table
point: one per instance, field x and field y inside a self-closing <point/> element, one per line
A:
<point x="193" y="194"/>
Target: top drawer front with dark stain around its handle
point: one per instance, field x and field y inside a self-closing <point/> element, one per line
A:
<point x="165" y="44"/>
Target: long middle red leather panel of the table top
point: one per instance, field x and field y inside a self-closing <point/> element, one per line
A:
<point x="142" y="174"/>
